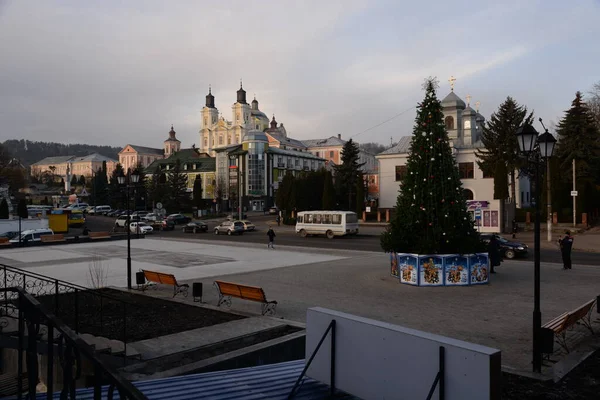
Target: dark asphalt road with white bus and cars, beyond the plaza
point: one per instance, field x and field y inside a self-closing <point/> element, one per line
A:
<point x="368" y="240"/>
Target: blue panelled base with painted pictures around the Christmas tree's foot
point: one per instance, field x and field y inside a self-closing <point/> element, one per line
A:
<point x="440" y="269"/>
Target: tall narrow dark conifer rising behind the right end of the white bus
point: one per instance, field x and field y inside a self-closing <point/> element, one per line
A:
<point x="347" y="173"/>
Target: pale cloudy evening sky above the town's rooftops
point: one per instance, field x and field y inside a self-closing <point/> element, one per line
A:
<point x="113" y="72"/>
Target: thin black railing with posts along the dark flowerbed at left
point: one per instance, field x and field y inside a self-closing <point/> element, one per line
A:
<point x="83" y="309"/>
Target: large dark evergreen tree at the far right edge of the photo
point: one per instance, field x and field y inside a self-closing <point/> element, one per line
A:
<point x="579" y="140"/>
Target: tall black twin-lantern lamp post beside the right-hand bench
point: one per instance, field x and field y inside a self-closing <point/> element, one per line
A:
<point x="537" y="149"/>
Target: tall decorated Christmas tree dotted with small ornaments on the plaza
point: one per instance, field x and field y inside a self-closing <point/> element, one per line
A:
<point x="431" y="213"/>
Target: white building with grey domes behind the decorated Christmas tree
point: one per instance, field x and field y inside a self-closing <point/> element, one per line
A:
<point x="464" y="126"/>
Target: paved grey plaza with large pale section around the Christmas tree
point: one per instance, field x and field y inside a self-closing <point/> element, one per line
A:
<point x="496" y="315"/>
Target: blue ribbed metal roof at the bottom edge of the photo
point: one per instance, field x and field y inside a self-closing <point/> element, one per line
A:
<point x="273" y="382"/>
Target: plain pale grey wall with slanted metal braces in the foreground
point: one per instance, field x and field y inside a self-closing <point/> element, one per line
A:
<point x="377" y="360"/>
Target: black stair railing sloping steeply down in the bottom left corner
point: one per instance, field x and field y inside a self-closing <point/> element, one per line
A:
<point x="40" y="331"/>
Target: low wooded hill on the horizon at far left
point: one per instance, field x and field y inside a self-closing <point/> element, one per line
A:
<point x="29" y="152"/>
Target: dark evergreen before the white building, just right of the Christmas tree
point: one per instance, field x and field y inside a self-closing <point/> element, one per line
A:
<point x="500" y="155"/>
